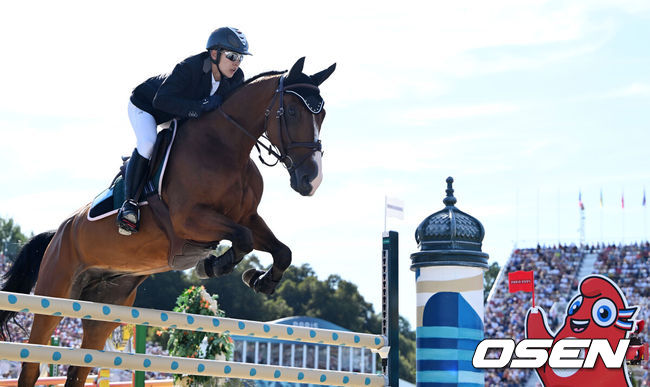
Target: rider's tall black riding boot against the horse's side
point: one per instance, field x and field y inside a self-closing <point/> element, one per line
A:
<point x="128" y="218"/>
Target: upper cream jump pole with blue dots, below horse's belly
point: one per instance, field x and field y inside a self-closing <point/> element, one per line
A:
<point x="19" y="302"/>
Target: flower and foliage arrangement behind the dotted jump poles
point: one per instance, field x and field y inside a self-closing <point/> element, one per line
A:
<point x="199" y="345"/>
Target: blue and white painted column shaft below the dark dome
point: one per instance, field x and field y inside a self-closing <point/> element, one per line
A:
<point x="449" y="325"/>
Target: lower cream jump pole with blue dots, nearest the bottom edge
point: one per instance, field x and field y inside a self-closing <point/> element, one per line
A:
<point x="105" y="359"/>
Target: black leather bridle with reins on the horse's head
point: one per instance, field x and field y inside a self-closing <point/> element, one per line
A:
<point x="281" y="154"/>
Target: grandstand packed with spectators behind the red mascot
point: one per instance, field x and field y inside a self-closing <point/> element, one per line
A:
<point x="558" y="271"/>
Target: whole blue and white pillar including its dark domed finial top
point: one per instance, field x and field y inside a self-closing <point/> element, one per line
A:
<point x="449" y="283"/>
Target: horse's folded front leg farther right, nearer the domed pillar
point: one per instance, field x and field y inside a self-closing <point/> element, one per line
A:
<point x="264" y="240"/>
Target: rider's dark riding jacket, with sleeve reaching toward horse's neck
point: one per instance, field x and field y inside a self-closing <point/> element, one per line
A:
<point x="179" y="94"/>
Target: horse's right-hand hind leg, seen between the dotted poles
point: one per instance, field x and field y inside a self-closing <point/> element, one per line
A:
<point x="109" y="289"/>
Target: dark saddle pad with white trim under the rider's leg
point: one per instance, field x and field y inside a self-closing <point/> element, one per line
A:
<point x="110" y="200"/>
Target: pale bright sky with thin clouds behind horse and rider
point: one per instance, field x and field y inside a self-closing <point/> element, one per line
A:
<point x="526" y="104"/>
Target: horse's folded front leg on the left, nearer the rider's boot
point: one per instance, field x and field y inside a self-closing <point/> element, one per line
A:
<point x="214" y="226"/>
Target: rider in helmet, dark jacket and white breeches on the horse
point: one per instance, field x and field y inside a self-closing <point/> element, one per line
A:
<point x="198" y="84"/>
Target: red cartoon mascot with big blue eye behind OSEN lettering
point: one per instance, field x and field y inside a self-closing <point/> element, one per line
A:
<point x="599" y="311"/>
